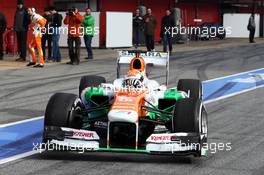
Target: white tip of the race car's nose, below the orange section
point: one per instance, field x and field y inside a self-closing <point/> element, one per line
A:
<point x="123" y="116"/>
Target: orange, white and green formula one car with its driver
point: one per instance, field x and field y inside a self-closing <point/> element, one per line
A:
<point x="132" y="114"/>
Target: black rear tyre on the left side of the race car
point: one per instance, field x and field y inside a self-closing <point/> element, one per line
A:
<point x="90" y="81"/>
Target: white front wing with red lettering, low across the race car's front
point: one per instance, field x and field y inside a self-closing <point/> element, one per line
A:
<point x="68" y="139"/>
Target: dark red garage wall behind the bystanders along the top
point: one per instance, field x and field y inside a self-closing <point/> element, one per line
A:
<point x="207" y="12"/>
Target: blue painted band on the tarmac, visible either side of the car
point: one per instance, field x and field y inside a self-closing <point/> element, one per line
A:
<point x="19" y="138"/>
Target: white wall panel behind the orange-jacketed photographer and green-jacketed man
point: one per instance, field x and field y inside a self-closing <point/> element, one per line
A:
<point x="95" y="41"/>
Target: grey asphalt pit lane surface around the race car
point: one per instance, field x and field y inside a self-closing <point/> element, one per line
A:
<point x="238" y="120"/>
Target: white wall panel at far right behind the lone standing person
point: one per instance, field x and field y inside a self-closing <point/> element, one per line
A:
<point x="238" y="24"/>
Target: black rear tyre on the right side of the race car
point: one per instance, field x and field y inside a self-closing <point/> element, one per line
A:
<point x="191" y="85"/>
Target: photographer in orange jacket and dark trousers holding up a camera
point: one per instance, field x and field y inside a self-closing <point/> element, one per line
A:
<point x="73" y="20"/>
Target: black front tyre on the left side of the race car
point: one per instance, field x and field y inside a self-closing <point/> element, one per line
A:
<point x="63" y="110"/>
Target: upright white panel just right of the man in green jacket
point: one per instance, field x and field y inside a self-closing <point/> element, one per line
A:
<point x="118" y="29"/>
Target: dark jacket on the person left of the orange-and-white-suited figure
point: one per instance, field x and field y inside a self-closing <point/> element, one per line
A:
<point x="21" y="20"/>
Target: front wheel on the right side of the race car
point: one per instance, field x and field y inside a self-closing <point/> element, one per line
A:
<point x="190" y="117"/>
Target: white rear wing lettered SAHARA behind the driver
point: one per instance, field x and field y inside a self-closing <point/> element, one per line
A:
<point x="153" y="58"/>
